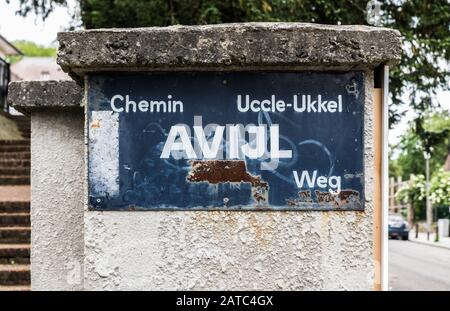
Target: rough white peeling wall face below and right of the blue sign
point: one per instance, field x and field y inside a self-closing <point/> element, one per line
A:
<point x="235" y="250"/>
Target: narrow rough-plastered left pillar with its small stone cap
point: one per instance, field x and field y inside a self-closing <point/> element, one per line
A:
<point x="57" y="183"/>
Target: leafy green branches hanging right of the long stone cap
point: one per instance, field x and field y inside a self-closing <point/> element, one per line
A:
<point x="424" y="25"/>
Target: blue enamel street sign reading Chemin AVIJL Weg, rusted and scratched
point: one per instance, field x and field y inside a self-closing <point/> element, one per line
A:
<point x="226" y="141"/>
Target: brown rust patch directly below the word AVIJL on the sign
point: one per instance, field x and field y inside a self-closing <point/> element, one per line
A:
<point x="228" y="171"/>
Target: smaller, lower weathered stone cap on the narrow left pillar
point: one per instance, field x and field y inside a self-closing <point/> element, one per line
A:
<point x="29" y="96"/>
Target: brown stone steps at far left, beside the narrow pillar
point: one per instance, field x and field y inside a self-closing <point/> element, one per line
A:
<point x="15" y="229"/>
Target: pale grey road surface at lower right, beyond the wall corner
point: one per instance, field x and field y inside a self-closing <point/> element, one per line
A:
<point x="418" y="267"/>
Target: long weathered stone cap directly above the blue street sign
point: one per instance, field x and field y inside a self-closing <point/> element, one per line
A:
<point x="228" y="46"/>
